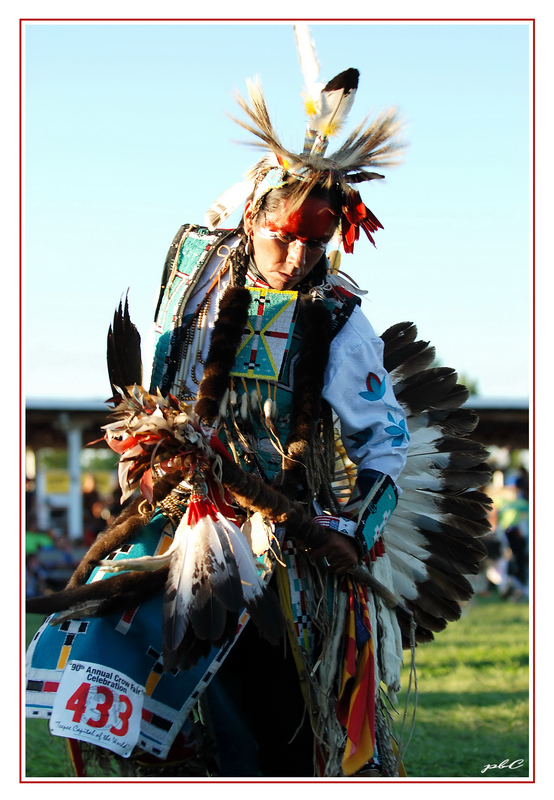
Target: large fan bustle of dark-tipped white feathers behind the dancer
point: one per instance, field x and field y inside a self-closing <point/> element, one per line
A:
<point x="433" y="539"/>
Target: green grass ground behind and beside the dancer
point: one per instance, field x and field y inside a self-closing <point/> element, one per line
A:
<point x="473" y="701"/>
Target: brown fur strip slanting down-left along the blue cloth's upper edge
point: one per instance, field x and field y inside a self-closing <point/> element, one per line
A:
<point x="121" y="530"/>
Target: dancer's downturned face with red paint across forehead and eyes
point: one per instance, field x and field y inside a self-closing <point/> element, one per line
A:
<point x="286" y="247"/>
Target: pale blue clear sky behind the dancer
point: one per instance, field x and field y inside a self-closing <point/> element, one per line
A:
<point x="127" y="137"/>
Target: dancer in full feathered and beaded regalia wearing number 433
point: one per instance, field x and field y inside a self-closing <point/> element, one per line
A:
<point x="276" y="436"/>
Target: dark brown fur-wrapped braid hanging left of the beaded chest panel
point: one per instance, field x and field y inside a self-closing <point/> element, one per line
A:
<point x="228" y="330"/>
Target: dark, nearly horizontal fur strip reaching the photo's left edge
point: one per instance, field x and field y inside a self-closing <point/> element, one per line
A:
<point x="118" y="593"/>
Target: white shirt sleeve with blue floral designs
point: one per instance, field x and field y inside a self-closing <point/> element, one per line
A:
<point x="373" y="425"/>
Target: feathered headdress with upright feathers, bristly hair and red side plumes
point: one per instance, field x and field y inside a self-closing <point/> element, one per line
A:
<point x="327" y="106"/>
